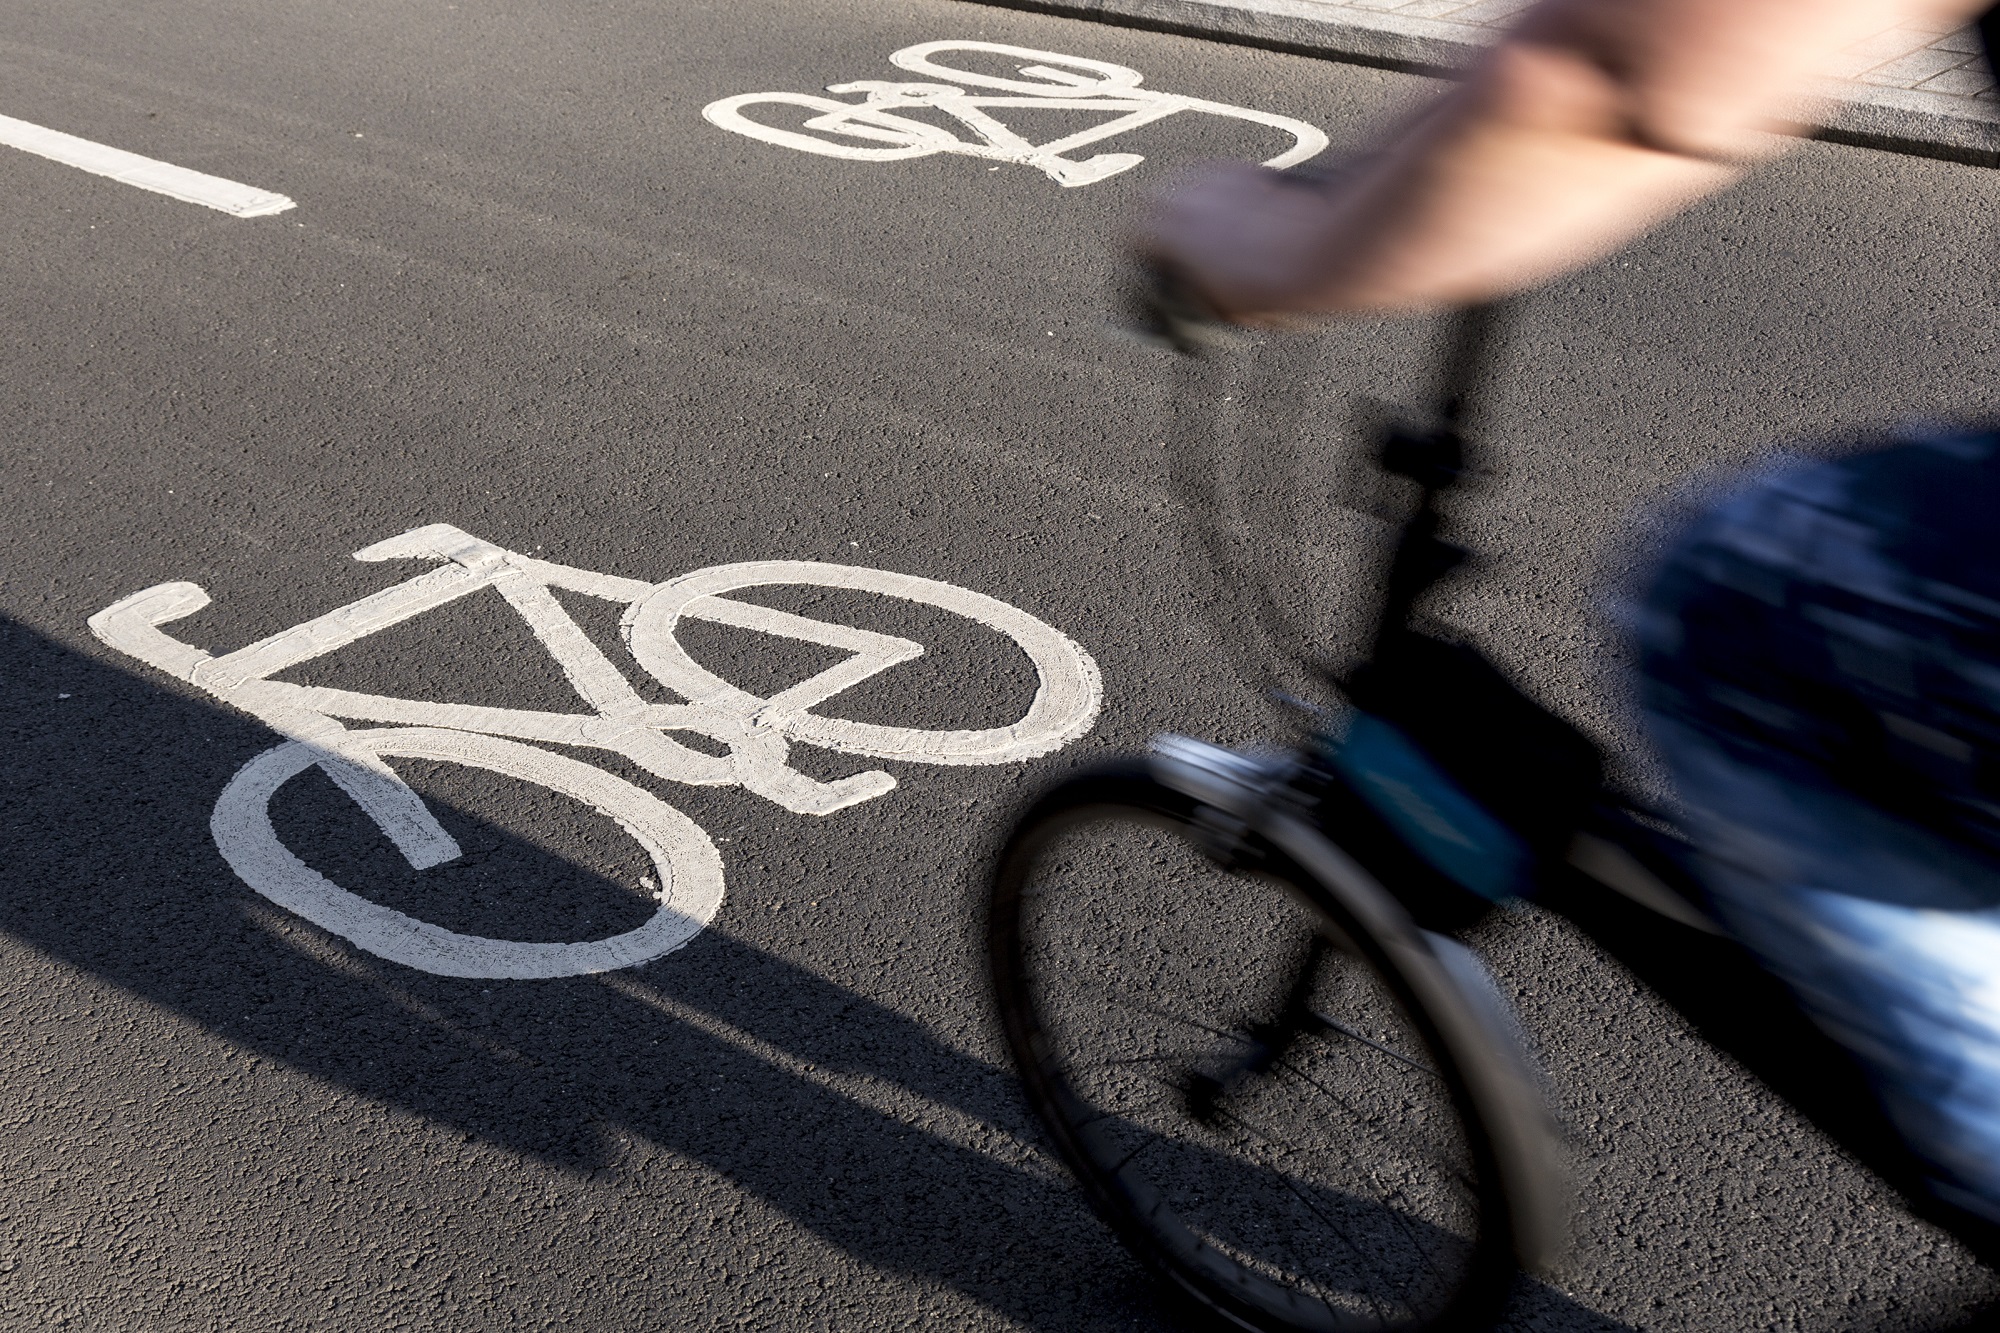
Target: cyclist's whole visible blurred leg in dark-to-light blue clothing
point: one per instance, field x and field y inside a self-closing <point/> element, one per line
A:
<point x="1823" y="680"/>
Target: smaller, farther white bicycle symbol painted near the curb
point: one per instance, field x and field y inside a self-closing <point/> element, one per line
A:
<point x="871" y="131"/>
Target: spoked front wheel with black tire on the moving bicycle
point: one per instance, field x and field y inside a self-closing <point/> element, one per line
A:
<point x="1239" y="1070"/>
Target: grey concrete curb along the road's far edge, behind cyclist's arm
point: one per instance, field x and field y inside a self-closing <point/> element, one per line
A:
<point x="1871" y="117"/>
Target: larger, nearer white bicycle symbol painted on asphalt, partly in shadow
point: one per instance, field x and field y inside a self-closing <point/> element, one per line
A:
<point x="757" y="734"/>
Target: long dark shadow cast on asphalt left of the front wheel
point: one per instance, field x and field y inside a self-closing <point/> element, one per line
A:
<point x="825" y="1084"/>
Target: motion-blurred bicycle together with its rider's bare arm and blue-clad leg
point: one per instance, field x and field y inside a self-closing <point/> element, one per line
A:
<point x="1235" y="984"/>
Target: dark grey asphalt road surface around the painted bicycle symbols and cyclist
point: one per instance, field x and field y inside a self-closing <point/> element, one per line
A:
<point x="531" y="293"/>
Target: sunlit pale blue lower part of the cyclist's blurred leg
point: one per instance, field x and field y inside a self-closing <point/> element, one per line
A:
<point x="1811" y="882"/>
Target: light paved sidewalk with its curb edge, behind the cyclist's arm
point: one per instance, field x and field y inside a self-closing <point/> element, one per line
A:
<point x="1911" y="89"/>
